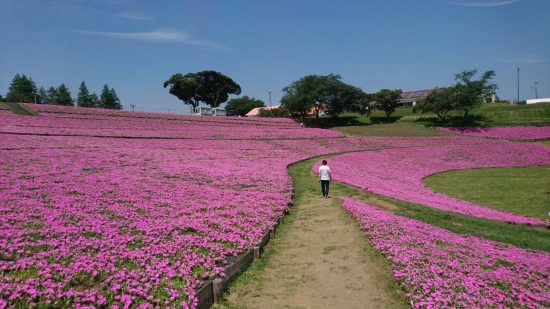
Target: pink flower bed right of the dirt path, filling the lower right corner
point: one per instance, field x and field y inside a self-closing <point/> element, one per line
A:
<point x="440" y="269"/>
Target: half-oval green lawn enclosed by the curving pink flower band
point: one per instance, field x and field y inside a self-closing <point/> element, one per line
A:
<point x="521" y="190"/>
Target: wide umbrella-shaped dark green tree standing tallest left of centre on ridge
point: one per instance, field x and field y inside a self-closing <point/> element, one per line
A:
<point x="210" y="87"/>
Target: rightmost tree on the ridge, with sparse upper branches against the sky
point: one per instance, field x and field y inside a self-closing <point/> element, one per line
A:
<point x="471" y="93"/>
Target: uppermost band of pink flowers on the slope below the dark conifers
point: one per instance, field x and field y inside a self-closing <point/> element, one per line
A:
<point x="66" y="121"/>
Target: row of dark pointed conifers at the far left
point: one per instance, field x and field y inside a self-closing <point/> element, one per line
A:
<point x="23" y="89"/>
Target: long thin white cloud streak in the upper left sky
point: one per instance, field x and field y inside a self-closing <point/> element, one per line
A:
<point x="158" y="36"/>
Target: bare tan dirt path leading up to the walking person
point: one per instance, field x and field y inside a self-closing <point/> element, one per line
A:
<point x="320" y="260"/>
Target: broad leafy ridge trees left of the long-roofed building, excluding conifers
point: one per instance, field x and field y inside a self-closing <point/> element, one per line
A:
<point x="312" y="92"/>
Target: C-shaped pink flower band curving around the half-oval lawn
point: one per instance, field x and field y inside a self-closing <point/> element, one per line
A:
<point x="399" y="172"/>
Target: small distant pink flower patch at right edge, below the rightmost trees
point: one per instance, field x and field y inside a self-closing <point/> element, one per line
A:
<point x="516" y="133"/>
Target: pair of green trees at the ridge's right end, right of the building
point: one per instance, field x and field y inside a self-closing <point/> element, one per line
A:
<point x="466" y="94"/>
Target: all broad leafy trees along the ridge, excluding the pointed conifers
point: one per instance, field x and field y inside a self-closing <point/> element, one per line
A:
<point x="328" y="93"/>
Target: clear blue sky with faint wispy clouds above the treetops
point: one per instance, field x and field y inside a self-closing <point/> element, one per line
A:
<point x="134" y="46"/>
